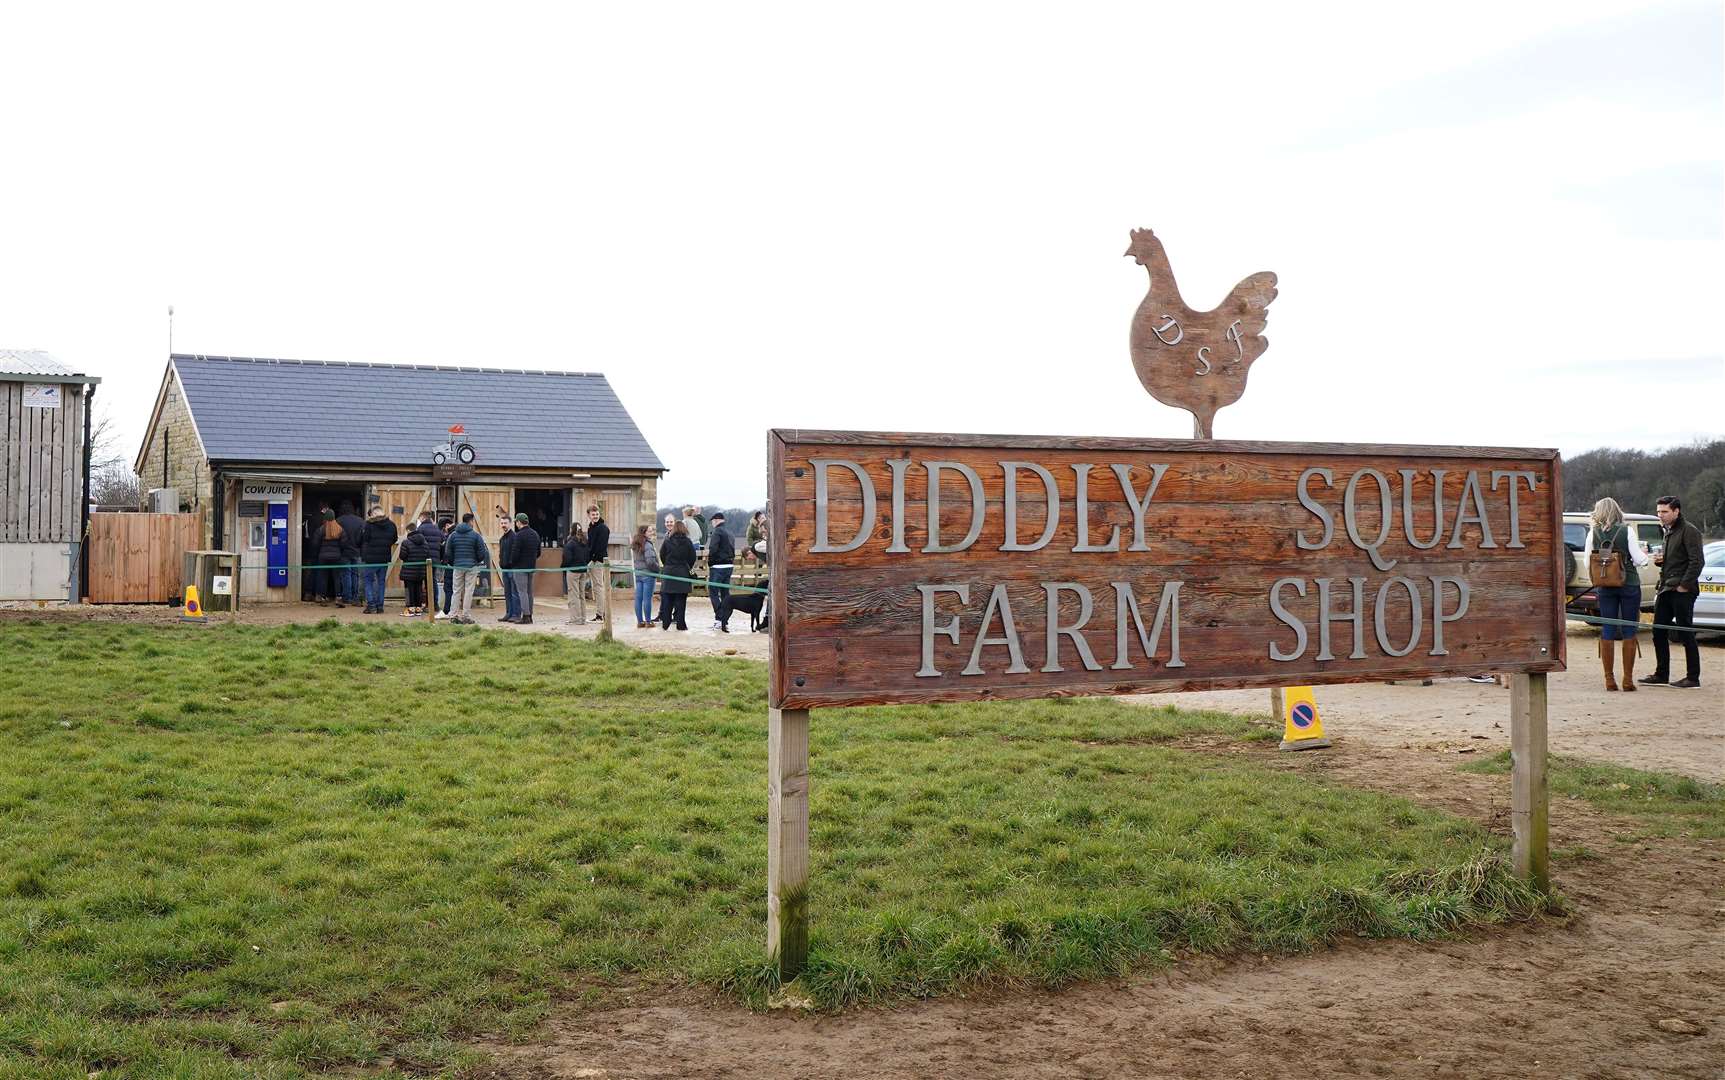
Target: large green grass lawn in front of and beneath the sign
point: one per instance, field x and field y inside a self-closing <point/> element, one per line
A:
<point x="318" y="850"/>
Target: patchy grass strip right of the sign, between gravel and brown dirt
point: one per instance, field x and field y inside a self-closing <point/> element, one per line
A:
<point x="1671" y="805"/>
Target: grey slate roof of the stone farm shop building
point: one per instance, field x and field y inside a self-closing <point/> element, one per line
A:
<point x="308" y="411"/>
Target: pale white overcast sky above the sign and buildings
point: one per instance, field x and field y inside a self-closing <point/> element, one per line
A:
<point x="1493" y="223"/>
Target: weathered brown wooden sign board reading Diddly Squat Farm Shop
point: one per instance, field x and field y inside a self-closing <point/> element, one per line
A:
<point x="915" y="568"/>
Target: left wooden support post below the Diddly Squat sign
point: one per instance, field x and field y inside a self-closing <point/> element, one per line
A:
<point x="787" y="827"/>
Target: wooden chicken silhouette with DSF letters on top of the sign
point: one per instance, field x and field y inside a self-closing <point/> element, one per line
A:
<point x="1196" y="360"/>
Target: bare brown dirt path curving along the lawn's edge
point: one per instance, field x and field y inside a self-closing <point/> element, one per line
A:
<point x="1572" y="998"/>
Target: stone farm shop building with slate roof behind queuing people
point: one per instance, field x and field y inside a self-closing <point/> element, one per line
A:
<point x="258" y="448"/>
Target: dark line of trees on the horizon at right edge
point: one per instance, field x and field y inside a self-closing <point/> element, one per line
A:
<point x="1636" y="479"/>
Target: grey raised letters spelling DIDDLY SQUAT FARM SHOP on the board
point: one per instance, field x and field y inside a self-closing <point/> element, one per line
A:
<point x="1445" y="596"/>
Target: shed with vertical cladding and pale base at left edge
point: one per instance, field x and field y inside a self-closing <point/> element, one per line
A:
<point x="44" y="475"/>
